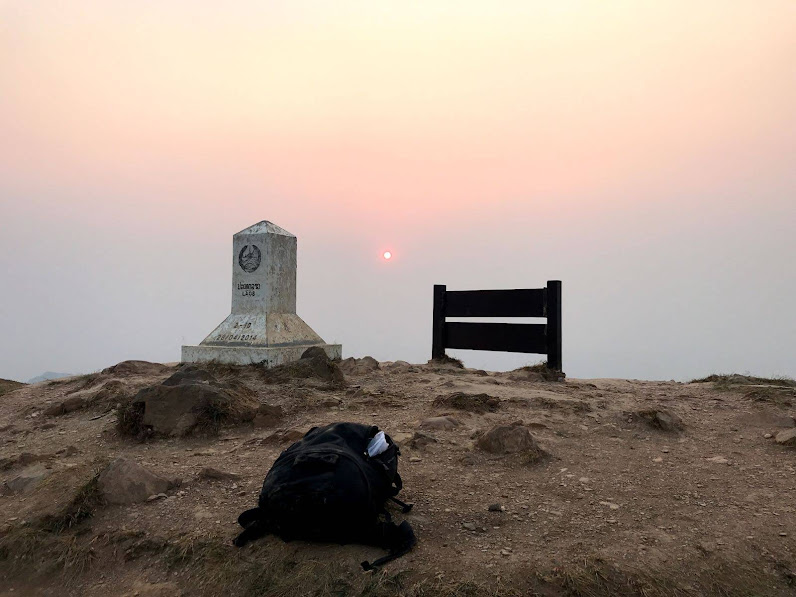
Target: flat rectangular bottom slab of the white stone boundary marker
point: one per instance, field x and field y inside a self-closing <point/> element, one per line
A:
<point x="249" y="355"/>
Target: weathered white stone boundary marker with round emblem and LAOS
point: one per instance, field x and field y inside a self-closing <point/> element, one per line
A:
<point x="263" y="326"/>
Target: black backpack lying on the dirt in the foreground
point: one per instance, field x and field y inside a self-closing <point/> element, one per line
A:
<point x="325" y="487"/>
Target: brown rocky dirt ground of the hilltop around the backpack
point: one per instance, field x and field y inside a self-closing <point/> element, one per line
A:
<point x="117" y="483"/>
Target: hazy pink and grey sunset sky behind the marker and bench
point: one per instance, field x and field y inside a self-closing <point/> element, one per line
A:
<point x="643" y="152"/>
